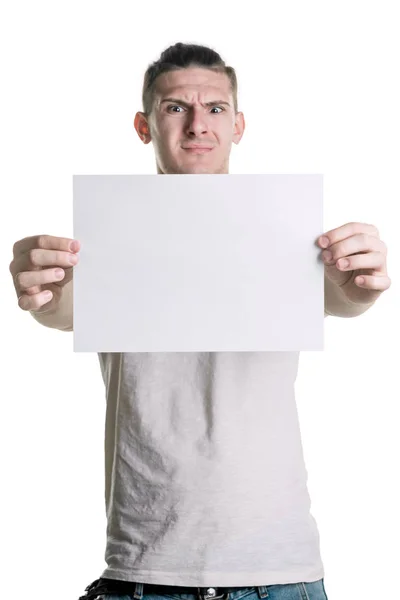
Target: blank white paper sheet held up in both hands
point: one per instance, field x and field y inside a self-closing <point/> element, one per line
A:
<point x="198" y="263"/>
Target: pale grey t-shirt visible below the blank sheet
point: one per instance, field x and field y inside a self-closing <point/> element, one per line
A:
<point x="205" y="482"/>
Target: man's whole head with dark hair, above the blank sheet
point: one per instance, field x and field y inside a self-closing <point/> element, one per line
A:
<point x="190" y="98"/>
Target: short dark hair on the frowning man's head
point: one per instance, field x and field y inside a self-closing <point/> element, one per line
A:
<point x="182" y="56"/>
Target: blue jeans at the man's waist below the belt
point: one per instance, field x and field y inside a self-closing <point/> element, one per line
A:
<point x="290" y="591"/>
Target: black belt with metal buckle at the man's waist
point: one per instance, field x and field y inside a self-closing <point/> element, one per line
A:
<point x="114" y="586"/>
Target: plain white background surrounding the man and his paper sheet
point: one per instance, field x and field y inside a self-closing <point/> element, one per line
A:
<point x="318" y="84"/>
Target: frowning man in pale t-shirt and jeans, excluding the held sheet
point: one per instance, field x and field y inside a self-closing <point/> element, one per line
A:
<point x="206" y="487"/>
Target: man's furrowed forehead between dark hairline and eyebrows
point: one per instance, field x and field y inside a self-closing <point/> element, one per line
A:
<point x="191" y="82"/>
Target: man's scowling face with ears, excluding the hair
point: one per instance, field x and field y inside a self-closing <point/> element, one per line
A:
<point x="182" y="117"/>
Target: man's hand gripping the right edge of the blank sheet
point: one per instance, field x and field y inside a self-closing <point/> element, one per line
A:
<point x="365" y="277"/>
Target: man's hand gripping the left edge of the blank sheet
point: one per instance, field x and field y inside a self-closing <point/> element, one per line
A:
<point x="31" y="276"/>
